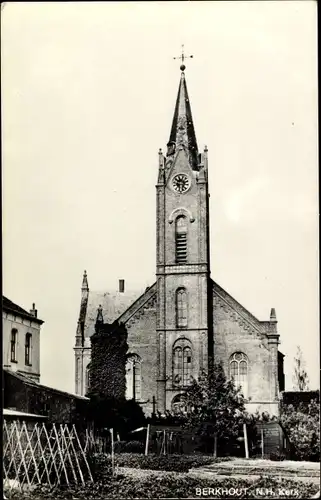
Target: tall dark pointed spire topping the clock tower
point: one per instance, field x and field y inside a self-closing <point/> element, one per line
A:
<point x="182" y="133"/>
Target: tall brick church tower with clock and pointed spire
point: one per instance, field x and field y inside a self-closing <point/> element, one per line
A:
<point x="184" y="326"/>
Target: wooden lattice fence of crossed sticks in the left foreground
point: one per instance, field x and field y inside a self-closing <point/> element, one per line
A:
<point x="42" y="454"/>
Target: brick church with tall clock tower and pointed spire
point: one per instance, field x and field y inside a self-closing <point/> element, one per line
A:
<point x="184" y="319"/>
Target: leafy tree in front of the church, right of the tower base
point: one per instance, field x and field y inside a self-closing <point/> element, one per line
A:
<point x="215" y="407"/>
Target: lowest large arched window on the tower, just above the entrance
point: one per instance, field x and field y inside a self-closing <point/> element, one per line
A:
<point x="182" y="363"/>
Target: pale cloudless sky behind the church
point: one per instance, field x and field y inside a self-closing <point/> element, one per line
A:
<point x="88" y="95"/>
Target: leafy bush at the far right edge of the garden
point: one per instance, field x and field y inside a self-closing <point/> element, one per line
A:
<point x="302" y="425"/>
